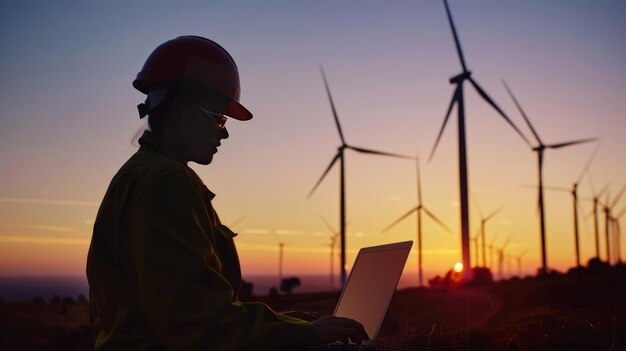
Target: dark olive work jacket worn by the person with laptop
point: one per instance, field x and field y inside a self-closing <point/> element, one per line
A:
<point x="163" y="271"/>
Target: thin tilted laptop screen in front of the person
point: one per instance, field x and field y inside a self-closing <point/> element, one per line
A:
<point x="371" y="284"/>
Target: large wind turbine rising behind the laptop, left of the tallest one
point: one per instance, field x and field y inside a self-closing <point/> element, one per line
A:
<point x="339" y="156"/>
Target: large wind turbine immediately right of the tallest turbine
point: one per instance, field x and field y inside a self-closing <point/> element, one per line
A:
<point x="539" y="149"/>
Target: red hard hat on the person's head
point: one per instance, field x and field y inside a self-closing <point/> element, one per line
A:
<point x="199" y="60"/>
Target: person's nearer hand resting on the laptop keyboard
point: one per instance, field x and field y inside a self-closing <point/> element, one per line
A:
<point x="329" y="329"/>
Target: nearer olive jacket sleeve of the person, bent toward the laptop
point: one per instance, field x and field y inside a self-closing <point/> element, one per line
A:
<point x="186" y="302"/>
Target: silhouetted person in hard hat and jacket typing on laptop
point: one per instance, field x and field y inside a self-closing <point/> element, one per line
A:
<point x="163" y="270"/>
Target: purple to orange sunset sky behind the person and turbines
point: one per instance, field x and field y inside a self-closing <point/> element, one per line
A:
<point x="68" y="116"/>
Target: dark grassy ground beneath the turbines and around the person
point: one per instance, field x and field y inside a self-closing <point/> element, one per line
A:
<point x="578" y="311"/>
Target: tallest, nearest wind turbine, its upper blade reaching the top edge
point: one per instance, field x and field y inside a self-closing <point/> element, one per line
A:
<point x="458" y="98"/>
